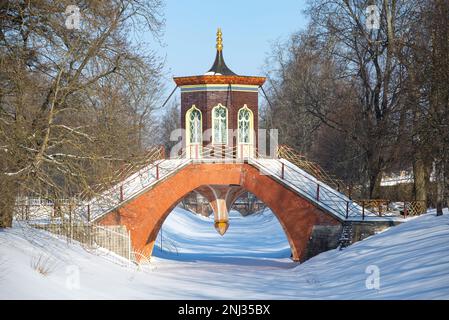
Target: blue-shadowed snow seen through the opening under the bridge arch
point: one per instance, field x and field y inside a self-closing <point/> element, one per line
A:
<point x="198" y="234"/>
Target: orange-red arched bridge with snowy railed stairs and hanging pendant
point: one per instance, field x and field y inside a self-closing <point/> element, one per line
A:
<point x="299" y="201"/>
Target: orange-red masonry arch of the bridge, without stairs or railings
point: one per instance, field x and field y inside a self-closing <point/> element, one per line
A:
<point x="145" y="214"/>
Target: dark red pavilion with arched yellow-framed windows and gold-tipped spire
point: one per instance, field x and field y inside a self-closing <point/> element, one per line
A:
<point x="219" y="109"/>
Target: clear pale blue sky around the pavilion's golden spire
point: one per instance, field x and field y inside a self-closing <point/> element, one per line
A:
<point x="249" y="27"/>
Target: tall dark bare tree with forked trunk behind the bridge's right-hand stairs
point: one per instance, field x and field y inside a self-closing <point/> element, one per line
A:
<point x="369" y="57"/>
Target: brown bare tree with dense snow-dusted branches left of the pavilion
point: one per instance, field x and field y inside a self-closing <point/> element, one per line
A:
<point x="67" y="114"/>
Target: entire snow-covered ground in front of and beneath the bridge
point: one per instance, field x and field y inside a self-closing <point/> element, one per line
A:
<point x="250" y="262"/>
